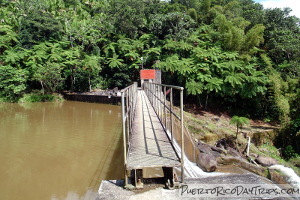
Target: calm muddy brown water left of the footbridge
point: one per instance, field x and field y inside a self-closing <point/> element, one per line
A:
<point x="58" y="150"/>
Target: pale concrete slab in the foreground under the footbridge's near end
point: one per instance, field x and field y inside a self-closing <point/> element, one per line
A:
<point x="113" y="189"/>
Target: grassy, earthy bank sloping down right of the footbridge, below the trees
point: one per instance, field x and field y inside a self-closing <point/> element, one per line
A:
<point x="215" y="130"/>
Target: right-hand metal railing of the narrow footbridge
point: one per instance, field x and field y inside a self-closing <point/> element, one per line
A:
<point x="161" y="98"/>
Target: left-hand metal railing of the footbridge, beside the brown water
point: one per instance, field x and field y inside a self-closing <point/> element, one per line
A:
<point x="128" y="108"/>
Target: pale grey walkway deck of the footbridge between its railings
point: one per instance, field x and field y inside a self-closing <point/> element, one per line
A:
<point x="149" y="144"/>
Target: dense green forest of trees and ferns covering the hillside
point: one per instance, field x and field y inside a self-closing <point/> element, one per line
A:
<point x="228" y="54"/>
